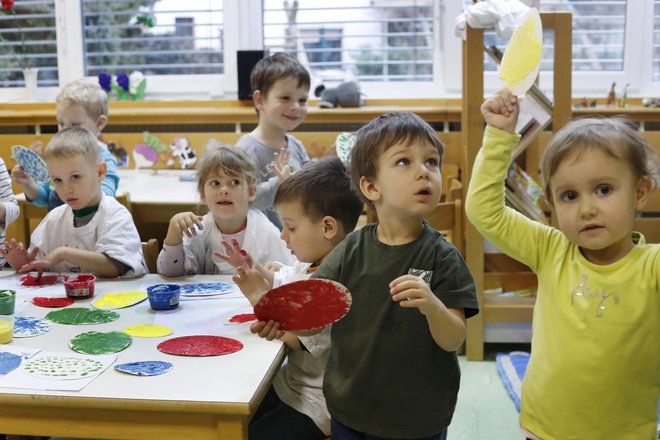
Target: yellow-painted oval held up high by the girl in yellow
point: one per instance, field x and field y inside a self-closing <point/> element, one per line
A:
<point x="522" y="57"/>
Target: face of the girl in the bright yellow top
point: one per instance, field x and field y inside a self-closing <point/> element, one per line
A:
<point x="595" y="197"/>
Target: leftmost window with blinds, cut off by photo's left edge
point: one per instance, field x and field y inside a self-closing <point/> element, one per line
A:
<point x="27" y="39"/>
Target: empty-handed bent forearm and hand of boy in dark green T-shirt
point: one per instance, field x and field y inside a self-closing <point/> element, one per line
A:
<point x="447" y="326"/>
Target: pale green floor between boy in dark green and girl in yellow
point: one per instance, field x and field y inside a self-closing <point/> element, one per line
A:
<point x="484" y="410"/>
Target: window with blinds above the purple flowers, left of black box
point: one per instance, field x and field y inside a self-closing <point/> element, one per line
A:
<point x="162" y="37"/>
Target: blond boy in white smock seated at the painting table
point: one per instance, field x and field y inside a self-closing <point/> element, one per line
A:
<point x="91" y="232"/>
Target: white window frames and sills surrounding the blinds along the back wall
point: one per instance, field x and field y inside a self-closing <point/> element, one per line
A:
<point x="243" y="31"/>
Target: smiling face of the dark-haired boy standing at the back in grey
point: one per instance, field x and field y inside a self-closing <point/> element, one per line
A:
<point x="285" y="106"/>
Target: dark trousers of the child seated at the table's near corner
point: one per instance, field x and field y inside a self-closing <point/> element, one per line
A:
<point x="274" y="419"/>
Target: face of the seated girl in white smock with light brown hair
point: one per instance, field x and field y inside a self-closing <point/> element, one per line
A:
<point x="228" y="198"/>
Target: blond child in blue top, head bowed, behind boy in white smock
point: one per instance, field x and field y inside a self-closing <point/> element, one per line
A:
<point x="81" y="103"/>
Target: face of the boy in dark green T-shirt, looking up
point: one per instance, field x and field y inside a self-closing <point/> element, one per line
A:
<point x="408" y="180"/>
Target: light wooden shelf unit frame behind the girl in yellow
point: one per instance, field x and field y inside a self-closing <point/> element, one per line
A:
<point x="472" y="124"/>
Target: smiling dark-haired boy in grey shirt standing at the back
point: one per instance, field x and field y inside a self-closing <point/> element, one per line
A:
<point x="280" y="89"/>
